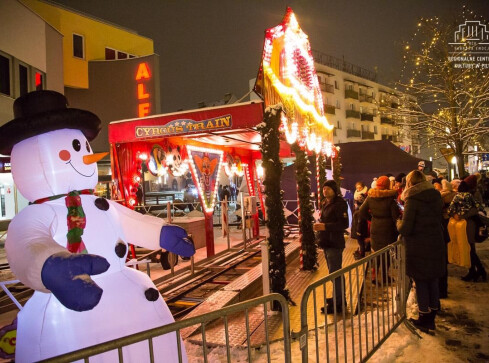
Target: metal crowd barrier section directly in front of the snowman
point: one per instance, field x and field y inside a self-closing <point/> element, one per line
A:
<point x="175" y="328"/>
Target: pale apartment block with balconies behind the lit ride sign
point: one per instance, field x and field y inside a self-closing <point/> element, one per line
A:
<point x="357" y="105"/>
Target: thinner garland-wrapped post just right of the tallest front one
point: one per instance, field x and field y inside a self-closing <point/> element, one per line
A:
<point x="308" y="243"/>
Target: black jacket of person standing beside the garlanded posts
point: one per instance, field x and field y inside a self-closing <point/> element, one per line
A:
<point x="334" y="215"/>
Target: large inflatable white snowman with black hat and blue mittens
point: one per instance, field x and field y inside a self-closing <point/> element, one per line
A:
<point x="70" y="246"/>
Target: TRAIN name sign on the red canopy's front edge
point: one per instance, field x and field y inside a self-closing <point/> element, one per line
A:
<point x="183" y="126"/>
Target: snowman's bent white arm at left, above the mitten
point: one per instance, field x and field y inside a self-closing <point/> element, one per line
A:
<point x="30" y="243"/>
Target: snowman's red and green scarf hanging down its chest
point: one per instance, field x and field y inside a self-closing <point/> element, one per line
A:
<point x="76" y="218"/>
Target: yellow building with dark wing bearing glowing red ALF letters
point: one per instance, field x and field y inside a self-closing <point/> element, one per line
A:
<point x="109" y="70"/>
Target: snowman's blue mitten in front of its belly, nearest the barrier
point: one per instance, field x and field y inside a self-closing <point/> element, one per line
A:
<point x="67" y="276"/>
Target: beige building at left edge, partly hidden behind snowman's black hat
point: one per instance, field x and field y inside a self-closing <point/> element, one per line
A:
<point x="31" y="58"/>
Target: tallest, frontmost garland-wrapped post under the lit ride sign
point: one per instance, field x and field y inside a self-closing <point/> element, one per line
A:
<point x="275" y="222"/>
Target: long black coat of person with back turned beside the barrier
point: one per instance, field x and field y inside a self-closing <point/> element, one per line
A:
<point x="421" y="228"/>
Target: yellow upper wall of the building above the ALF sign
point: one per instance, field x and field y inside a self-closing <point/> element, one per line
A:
<point x="97" y="36"/>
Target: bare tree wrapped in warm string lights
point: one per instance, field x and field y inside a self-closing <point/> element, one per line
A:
<point x="450" y="107"/>
